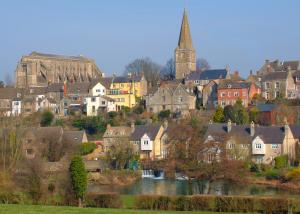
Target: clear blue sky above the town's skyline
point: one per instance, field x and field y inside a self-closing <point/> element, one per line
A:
<point x="234" y="33"/>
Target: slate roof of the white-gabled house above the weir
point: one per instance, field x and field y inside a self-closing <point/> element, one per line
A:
<point x="150" y="129"/>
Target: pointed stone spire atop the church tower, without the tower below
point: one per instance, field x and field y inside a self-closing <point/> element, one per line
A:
<point x="185" y="39"/>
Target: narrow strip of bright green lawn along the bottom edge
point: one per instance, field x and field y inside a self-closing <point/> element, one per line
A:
<point x="34" y="209"/>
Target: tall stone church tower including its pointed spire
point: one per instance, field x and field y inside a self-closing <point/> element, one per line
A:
<point x="185" y="55"/>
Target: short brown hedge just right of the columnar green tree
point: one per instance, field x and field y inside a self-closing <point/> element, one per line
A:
<point x="106" y="200"/>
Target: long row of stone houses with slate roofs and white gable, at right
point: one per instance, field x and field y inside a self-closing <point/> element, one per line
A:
<point x="259" y="143"/>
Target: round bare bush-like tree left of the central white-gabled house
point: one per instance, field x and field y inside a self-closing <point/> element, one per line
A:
<point x="120" y="153"/>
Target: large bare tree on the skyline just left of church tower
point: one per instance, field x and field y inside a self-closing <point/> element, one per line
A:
<point x="150" y="69"/>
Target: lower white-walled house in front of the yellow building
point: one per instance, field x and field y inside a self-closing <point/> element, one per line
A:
<point x="97" y="104"/>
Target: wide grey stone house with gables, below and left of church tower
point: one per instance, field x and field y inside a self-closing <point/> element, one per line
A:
<point x="171" y="96"/>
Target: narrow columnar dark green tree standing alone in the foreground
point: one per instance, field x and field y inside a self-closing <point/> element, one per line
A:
<point x="78" y="178"/>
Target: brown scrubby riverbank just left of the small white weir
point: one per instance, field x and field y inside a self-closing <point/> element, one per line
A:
<point x="114" y="177"/>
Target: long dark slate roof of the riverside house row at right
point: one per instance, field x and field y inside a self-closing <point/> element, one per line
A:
<point x="269" y="134"/>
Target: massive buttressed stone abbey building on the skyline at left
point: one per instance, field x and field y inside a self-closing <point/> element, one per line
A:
<point x="37" y="69"/>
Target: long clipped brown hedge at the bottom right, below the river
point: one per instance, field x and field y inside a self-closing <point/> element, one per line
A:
<point x="240" y="204"/>
